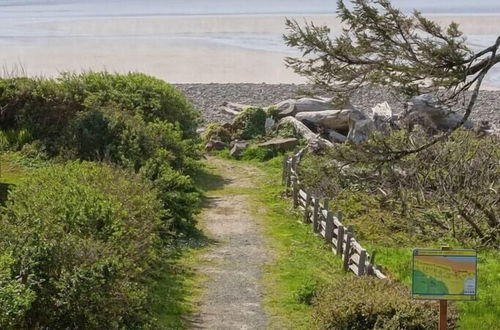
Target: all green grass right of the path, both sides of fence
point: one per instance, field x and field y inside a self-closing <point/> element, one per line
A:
<point x="301" y="258"/>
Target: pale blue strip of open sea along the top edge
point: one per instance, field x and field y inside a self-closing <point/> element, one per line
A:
<point x="54" y="9"/>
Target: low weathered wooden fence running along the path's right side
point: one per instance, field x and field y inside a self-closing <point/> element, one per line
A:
<point x="328" y="224"/>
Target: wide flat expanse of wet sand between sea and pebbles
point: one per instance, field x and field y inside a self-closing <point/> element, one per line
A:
<point x="194" y="49"/>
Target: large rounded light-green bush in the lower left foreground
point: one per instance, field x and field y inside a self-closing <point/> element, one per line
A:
<point x="81" y="240"/>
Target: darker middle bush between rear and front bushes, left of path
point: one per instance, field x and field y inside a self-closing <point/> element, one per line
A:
<point x="126" y="140"/>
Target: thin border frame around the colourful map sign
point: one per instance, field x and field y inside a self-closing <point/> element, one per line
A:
<point x="444" y="253"/>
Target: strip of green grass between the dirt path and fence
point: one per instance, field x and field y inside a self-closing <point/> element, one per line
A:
<point x="299" y="258"/>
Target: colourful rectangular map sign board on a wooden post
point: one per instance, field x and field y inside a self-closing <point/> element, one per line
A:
<point x="444" y="274"/>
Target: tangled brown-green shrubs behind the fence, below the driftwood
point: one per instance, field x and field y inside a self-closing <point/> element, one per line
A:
<point x="449" y="191"/>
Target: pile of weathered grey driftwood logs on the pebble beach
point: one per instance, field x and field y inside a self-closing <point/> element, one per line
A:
<point x="319" y="122"/>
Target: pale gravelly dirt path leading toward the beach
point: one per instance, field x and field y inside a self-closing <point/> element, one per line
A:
<point x="232" y="296"/>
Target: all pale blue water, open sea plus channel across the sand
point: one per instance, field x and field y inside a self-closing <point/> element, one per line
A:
<point x="19" y="18"/>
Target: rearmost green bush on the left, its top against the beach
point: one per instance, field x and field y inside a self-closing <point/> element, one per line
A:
<point x="45" y="106"/>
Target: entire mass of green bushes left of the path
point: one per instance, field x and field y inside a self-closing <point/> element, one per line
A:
<point x="81" y="241"/>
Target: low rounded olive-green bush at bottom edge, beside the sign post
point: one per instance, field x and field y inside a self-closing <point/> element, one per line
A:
<point x="370" y="303"/>
